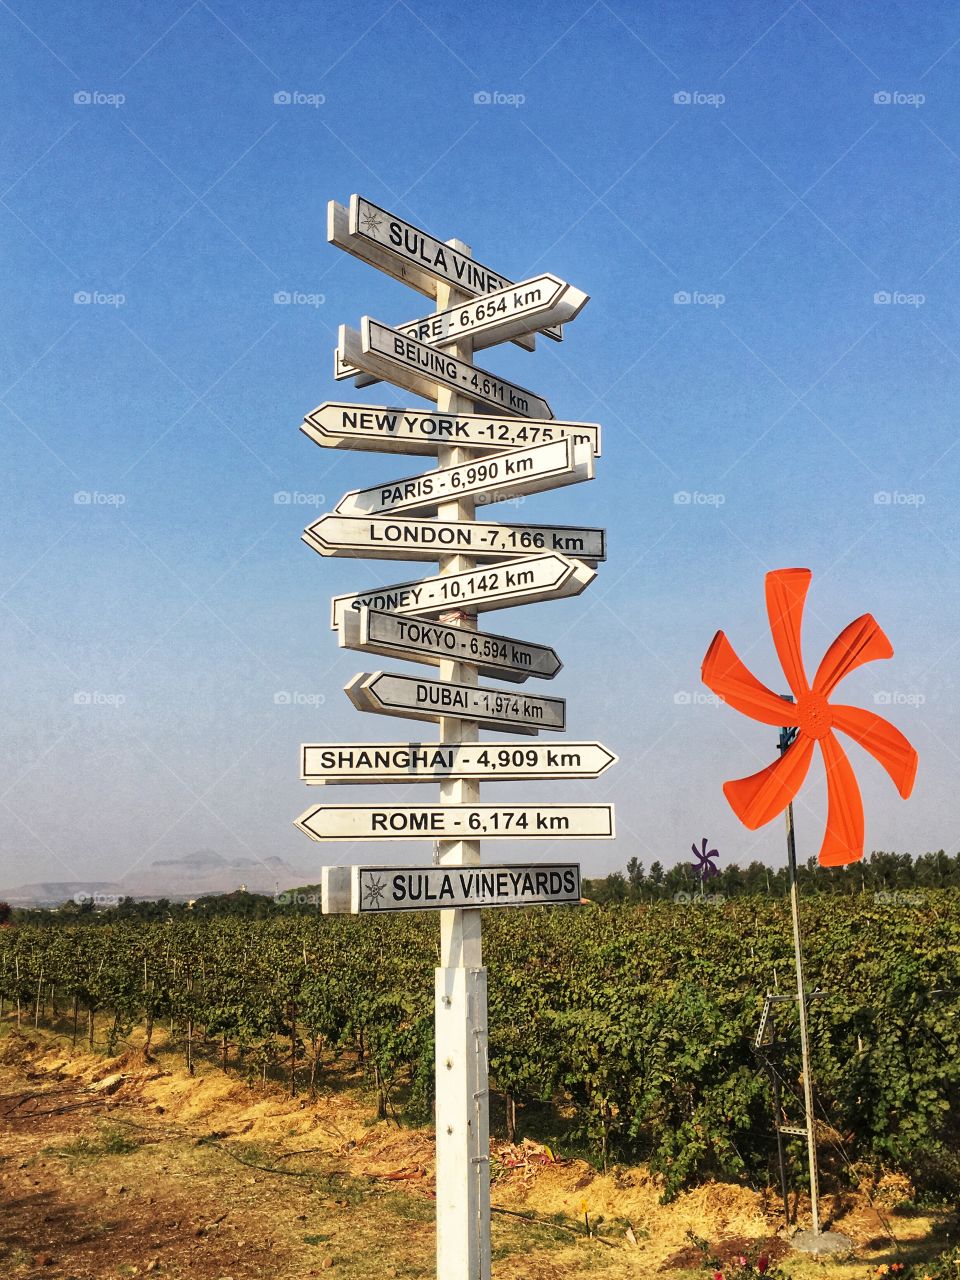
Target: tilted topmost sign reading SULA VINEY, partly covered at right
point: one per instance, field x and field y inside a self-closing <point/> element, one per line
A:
<point x="409" y="254"/>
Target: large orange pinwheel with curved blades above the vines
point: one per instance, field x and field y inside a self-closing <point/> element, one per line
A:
<point x="758" y="799"/>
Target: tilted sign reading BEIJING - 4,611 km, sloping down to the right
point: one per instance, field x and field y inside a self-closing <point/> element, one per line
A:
<point x="418" y="368"/>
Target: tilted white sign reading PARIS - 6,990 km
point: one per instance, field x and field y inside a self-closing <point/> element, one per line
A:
<point x="487" y="481"/>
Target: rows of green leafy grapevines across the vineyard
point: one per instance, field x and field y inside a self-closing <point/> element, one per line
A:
<point x="624" y="1032"/>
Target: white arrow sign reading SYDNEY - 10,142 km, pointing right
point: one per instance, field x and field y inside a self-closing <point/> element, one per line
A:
<point x="499" y="587"/>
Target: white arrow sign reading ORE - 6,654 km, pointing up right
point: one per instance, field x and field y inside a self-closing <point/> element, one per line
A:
<point x="499" y="317"/>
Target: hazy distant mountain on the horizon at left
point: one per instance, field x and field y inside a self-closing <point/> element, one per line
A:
<point x="177" y="879"/>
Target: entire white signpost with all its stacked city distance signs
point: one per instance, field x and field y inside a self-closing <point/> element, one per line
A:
<point x="493" y="441"/>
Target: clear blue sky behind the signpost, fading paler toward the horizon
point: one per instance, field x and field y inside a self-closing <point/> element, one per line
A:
<point x="793" y="170"/>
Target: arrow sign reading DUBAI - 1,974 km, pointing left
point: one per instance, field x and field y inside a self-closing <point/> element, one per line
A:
<point x="388" y="694"/>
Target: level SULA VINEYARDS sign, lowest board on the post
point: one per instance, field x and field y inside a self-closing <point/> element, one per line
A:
<point x="368" y="890"/>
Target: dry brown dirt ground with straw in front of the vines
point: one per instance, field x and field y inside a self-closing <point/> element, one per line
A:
<point x="129" y="1167"/>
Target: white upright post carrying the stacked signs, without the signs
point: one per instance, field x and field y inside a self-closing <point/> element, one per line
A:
<point x="463" y="1100"/>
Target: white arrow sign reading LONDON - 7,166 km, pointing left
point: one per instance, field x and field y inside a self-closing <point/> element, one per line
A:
<point x="406" y="538"/>
